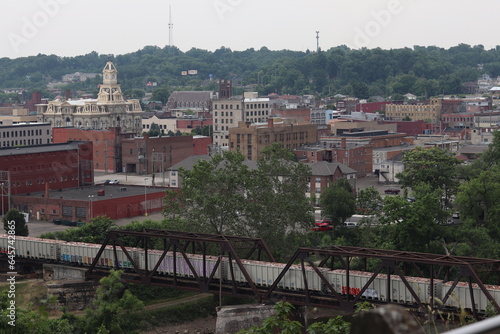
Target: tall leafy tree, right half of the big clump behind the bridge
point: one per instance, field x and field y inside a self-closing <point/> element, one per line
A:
<point x="277" y="209"/>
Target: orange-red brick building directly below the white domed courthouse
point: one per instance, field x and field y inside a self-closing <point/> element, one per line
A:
<point x="107" y="155"/>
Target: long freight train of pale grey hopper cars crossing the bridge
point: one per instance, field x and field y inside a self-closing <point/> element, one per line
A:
<point x="262" y="273"/>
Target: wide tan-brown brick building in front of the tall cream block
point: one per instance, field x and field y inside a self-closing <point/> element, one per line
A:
<point x="250" y="139"/>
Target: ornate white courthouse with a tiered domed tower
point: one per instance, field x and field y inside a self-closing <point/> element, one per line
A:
<point x="110" y="109"/>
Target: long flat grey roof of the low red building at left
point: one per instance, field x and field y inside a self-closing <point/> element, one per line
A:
<point x="110" y="191"/>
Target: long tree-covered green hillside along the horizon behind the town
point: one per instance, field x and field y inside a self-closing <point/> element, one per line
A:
<point x="423" y="71"/>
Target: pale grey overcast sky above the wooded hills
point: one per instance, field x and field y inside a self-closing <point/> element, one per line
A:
<point x="77" y="27"/>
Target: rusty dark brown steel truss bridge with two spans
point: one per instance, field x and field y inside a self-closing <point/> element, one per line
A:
<point x="238" y="249"/>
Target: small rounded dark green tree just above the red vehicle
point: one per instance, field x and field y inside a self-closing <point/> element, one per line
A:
<point x="338" y="202"/>
